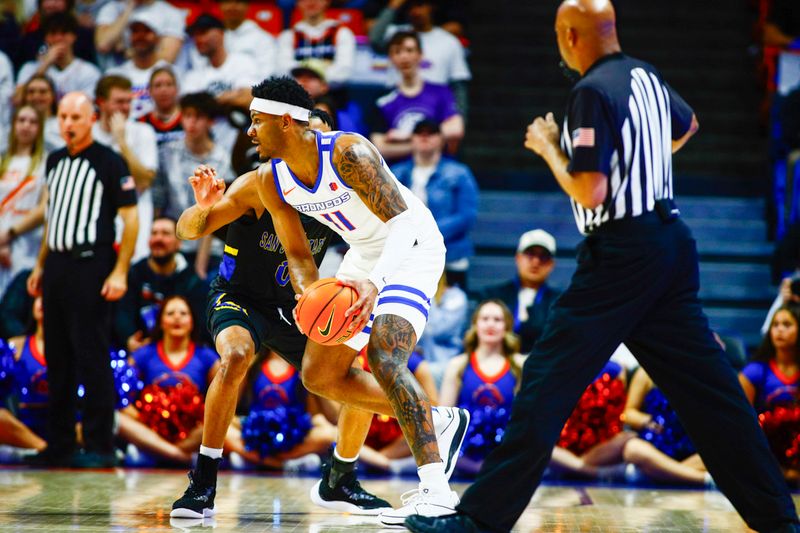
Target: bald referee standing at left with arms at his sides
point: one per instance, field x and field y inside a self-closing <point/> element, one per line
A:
<point x="78" y="275"/>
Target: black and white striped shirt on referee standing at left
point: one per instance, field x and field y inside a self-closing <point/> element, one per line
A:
<point x="85" y="191"/>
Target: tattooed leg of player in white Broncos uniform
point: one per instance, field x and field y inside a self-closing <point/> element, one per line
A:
<point x="390" y="344"/>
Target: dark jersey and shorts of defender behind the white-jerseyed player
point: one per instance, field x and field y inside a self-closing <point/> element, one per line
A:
<point x="253" y="289"/>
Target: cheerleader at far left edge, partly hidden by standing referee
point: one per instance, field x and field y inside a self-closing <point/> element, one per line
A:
<point x="28" y="429"/>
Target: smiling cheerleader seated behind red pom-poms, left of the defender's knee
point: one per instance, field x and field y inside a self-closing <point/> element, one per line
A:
<point x="174" y="358"/>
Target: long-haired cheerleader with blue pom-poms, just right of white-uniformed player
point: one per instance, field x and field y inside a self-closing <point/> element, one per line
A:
<point x="485" y="377"/>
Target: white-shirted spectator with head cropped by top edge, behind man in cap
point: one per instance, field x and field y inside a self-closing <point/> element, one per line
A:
<point x="114" y="18"/>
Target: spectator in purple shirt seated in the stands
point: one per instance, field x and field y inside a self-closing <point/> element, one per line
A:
<point x="411" y="101"/>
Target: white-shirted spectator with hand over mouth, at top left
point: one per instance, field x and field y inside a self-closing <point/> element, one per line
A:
<point x="69" y="73"/>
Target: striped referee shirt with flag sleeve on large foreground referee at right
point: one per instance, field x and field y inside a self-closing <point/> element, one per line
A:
<point x="621" y="119"/>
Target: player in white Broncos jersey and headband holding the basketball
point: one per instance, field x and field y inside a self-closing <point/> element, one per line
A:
<point x="395" y="260"/>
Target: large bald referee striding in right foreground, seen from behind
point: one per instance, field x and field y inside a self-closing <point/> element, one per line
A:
<point x="636" y="282"/>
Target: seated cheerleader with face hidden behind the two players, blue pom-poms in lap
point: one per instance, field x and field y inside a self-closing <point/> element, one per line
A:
<point x="278" y="384"/>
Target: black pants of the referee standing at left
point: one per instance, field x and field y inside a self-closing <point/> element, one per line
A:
<point x="77" y="327"/>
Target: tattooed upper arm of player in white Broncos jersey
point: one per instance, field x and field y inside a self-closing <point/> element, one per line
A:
<point x="360" y="167"/>
